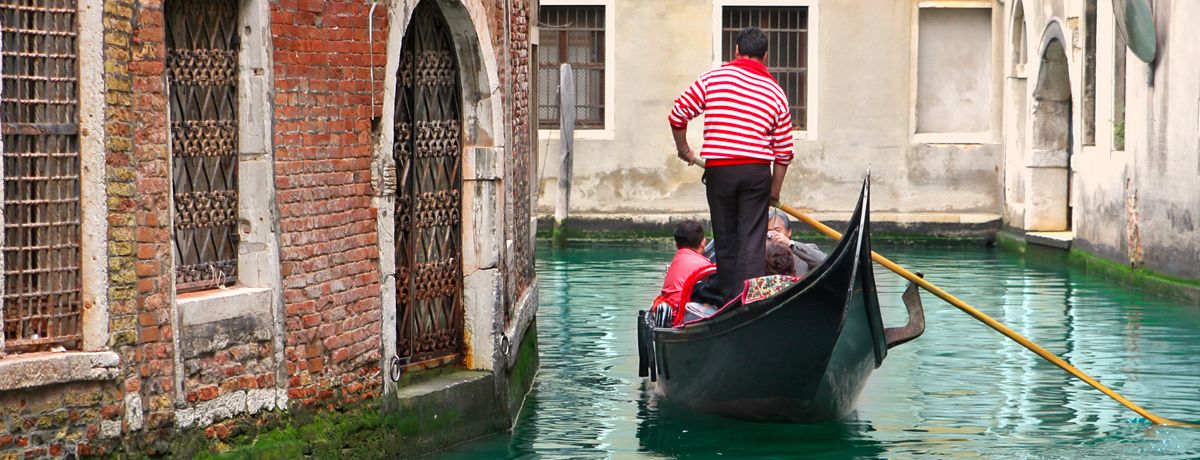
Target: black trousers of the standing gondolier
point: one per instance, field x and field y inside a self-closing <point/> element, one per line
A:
<point x="739" y="198"/>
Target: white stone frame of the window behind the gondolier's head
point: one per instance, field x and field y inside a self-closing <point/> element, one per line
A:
<point x="812" y="73"/>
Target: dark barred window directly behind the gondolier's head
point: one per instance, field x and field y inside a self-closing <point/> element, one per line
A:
<point x="788" y="59"/>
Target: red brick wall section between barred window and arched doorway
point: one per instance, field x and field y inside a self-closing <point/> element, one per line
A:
<point x="323" y="147"/>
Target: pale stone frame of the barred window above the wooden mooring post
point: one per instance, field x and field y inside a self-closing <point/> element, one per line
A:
<point x="610" y="76"/>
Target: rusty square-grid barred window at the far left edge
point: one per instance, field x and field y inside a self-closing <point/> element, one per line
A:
<point x="40" y="150"/>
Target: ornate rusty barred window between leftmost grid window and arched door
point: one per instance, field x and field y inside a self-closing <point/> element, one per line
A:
<point x="202" y="76"/>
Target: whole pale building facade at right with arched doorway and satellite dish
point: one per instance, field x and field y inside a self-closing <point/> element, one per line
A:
<point x="1101" y="144"/>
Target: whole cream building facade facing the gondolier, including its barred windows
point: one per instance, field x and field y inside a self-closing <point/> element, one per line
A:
<point x="910" y="91"/>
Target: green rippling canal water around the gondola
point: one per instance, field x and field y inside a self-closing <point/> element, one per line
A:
<point x="959" y="391"/>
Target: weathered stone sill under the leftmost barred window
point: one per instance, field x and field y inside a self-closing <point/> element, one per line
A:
<point x="32" y="371"/>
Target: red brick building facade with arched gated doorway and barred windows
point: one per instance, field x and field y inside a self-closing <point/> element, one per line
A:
<point x="220" y="211"/>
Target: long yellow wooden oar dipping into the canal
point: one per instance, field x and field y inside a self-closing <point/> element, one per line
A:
<point x="993" y="324"/>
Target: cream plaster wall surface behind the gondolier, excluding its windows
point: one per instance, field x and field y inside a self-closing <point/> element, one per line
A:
<point x="865" y="71"/>
